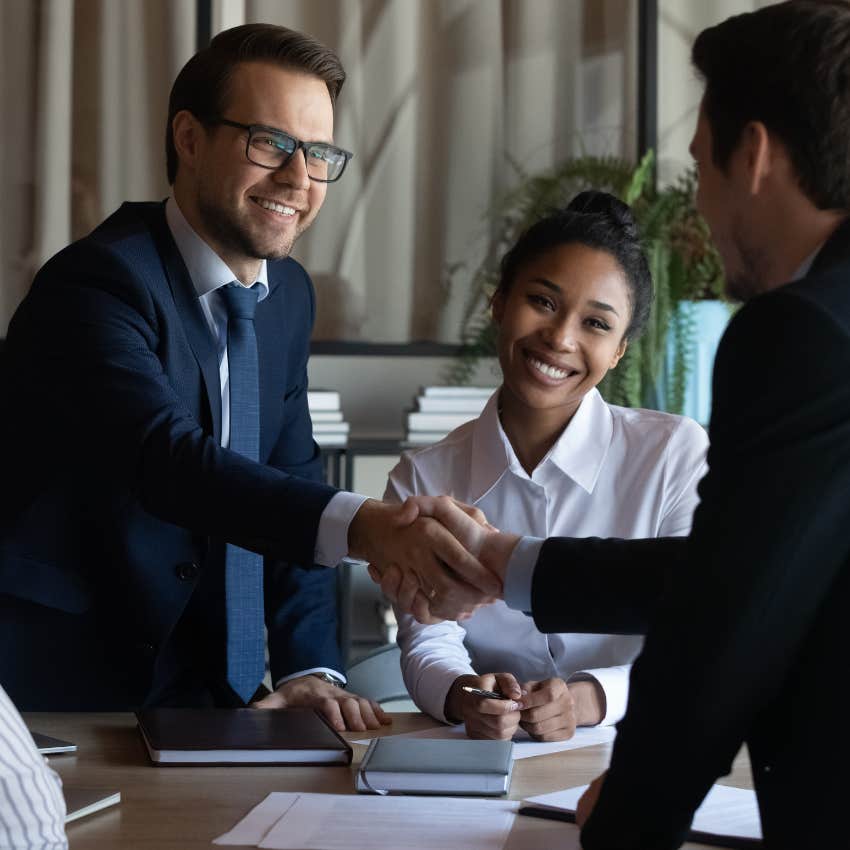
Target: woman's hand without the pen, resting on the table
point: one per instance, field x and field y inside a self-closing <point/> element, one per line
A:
<point x="552" y="709"/>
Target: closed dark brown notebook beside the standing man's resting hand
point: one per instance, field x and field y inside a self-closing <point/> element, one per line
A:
<point x="217" y="736"/>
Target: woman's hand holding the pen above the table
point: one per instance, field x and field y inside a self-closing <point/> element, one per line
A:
<point x="486" y="718"/>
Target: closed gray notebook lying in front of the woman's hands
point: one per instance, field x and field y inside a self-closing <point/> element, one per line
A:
<point x="424" y="766"/>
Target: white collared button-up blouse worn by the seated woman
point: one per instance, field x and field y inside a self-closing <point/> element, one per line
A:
<point x="614" y="472"/>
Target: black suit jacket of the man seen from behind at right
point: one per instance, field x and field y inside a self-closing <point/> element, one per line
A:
<point x="748" y="617"/>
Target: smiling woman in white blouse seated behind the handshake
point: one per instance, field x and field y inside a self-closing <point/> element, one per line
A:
<point x="548" y="456"/>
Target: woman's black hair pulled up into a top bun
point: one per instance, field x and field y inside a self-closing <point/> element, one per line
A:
<point x="597" y="220"/>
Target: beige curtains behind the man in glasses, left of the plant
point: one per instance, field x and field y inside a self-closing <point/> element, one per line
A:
<point x="441" y="93"/>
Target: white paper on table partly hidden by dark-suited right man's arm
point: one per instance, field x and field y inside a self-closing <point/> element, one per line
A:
<point x="724" y="811"/>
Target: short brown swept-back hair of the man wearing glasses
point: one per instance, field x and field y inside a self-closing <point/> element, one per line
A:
<point x="203" y="85"/>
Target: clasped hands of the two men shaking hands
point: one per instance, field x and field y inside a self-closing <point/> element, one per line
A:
<point x="435" y="558"/>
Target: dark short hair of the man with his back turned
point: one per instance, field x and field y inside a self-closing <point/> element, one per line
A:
<point x="787" y="66"/>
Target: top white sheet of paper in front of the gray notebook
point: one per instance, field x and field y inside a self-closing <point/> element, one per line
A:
<point x="355" y="822"/>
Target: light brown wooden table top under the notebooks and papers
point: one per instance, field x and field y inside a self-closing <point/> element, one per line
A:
<point x="184" y="808"/>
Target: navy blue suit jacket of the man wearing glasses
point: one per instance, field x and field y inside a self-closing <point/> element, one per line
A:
<point x="115" y="487"/>
